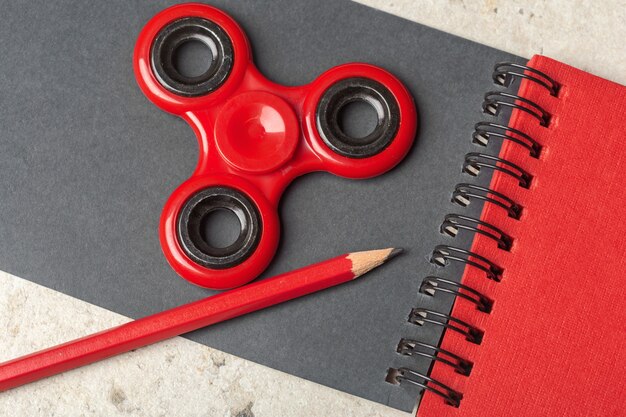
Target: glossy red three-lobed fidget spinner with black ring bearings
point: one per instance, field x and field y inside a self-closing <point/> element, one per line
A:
<point x="255" y="137"/>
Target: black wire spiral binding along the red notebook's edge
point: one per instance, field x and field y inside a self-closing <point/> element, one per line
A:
<point x="463" y="195"/>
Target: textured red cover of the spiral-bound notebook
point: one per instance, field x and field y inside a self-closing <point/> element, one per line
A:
<point x="554" y="343"/>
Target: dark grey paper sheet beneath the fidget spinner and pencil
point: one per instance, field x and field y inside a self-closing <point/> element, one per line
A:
<point x="87" y="164"/>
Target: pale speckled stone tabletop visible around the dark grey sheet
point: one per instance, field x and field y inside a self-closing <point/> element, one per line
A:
<point x="182" y="378"/>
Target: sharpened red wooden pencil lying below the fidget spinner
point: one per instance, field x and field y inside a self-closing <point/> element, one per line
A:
<point x="190" y="317"/>
